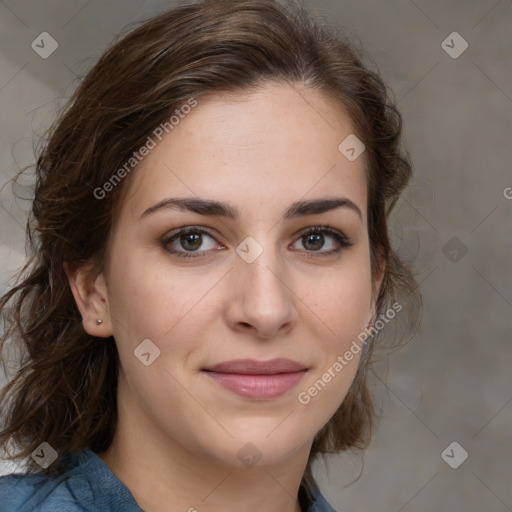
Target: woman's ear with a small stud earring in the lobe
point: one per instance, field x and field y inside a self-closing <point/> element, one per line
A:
<point x="90" y="291"/>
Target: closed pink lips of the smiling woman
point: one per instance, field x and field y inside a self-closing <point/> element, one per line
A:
<point x="257" y="379"/>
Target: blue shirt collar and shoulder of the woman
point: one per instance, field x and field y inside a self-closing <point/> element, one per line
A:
<point x="87" y="485"/>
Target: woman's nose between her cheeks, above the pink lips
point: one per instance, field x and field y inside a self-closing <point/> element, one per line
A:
<point x="261" y="297"/>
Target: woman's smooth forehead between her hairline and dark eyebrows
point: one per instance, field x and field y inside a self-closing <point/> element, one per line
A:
<point x="263" y="149"/>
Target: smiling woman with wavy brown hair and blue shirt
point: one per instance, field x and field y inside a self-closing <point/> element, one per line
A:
<point x="210" y="272"/>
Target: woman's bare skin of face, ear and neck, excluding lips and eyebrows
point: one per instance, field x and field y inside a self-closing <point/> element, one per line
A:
<point x="178" y="441"/>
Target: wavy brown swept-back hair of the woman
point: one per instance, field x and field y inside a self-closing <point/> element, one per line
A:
<point x="64" y="390"/>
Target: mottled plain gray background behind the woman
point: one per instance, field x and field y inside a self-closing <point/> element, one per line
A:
<point x="453" y="381"/>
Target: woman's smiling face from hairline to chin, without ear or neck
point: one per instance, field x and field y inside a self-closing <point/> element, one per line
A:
<point x="247" y="282"/>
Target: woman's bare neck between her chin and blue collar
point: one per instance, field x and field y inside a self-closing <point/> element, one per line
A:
<point x="164" y="476"/>
